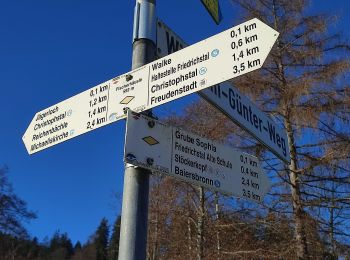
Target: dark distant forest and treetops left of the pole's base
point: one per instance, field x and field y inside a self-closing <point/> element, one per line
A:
<point x="16" y="244"/>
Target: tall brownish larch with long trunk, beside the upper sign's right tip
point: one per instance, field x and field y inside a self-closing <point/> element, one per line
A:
<point x="301" y="85"/>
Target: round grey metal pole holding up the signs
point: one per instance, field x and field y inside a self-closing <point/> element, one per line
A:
<point x="133" y="233"/>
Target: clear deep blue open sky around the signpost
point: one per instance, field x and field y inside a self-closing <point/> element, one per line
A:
<point x="52" y="50"/>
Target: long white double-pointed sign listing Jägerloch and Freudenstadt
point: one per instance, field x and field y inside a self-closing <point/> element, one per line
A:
<point x="226" y="55"/>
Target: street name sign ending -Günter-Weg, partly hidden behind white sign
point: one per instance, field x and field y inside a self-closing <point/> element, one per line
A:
<point x="231" y="102"/>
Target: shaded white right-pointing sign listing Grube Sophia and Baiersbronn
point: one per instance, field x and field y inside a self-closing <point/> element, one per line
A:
<point x="192" y="158"/>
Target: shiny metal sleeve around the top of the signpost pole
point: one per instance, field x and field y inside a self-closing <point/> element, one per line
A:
<point x="145" y="20"/>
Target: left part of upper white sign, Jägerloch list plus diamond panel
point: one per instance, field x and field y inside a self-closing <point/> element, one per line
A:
<point x="91" y="109"/>
